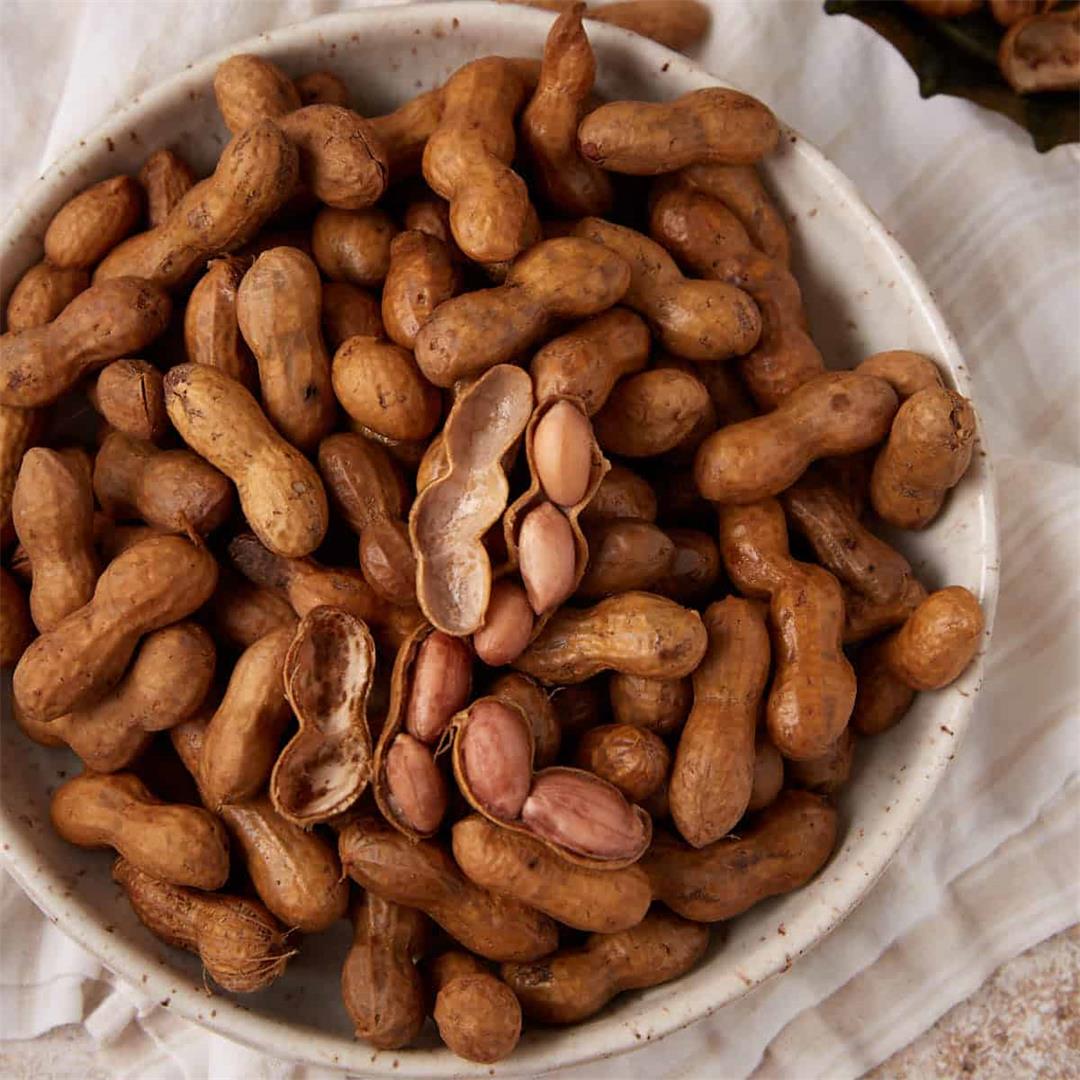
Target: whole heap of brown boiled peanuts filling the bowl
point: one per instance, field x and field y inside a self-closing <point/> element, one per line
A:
<point x="433" y="562"/>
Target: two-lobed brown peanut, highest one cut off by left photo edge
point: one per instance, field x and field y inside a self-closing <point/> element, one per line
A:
<point x="109" y="320"/>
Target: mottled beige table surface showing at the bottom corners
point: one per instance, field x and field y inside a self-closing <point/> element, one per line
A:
<point x="1023" y="1022"/>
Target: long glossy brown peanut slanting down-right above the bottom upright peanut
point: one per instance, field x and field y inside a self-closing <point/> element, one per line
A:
<point x="423" y="875"/>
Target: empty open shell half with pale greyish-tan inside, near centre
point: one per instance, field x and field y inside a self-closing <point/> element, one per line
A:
<point x="452" y="515"/>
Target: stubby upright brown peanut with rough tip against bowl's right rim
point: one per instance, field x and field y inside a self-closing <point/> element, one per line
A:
<point x="928" y="453"/>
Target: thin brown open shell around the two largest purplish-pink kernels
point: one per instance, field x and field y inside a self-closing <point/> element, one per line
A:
<point x="639" y="821"/>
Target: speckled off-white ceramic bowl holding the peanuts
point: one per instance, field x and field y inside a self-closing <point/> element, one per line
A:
<point x="862" y="294"/>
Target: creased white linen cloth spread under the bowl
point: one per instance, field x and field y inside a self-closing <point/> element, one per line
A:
<point x="995" y="228"/>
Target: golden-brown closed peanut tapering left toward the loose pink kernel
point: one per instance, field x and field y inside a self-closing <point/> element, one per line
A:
<point x="634" y="633"/>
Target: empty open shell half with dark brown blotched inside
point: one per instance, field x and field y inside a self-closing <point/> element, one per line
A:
<point x="328" y="764"/>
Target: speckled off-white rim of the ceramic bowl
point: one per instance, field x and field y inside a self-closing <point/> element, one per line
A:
<point x="267" y="1035"/>
